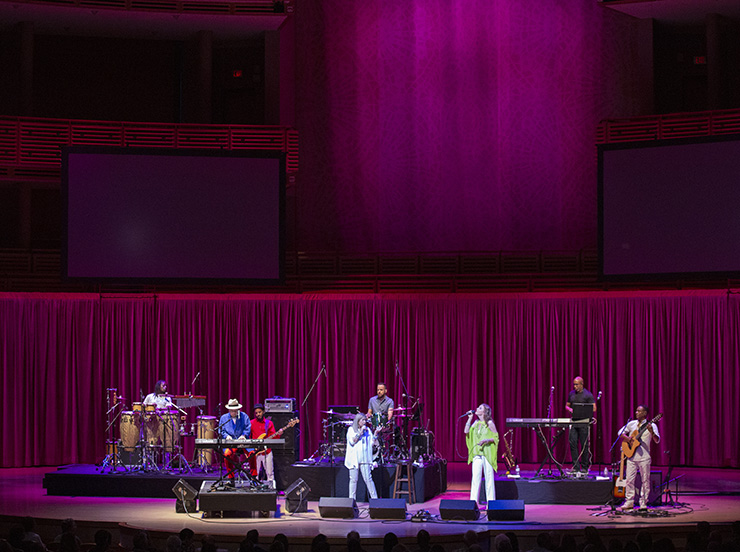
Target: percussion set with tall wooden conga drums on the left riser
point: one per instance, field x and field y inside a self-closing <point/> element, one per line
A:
<point x="150" y="438"/>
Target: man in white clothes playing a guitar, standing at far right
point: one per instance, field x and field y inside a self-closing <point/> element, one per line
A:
<point x="641" y="432"/>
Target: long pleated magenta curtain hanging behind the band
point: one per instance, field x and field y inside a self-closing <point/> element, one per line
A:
<point x="676" y="351"/>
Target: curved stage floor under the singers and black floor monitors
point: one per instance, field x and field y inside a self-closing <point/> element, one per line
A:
<point x="708" y="495"/>
